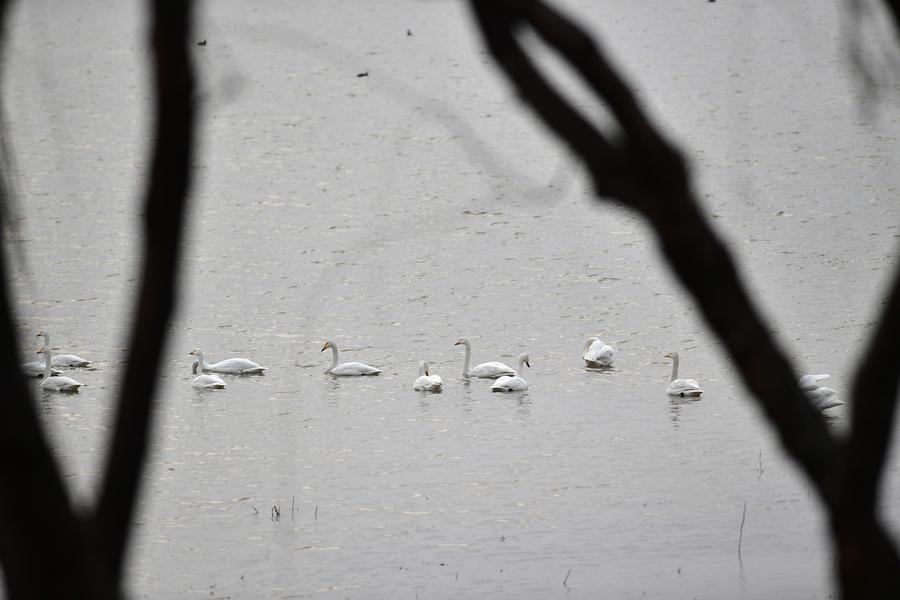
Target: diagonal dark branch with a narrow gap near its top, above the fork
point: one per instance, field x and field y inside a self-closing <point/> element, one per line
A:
<point x="643" y="171"/>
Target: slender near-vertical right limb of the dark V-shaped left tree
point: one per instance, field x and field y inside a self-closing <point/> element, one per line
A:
<point x="164" y="208"/>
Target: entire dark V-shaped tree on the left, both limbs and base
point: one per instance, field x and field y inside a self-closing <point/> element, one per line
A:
<point x="48" y="549"/>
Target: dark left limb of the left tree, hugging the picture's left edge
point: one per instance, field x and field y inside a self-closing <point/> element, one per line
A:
<point x="30" y="482"/>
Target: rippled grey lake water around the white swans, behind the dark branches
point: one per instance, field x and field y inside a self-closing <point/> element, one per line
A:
<point x="397" y="212"/>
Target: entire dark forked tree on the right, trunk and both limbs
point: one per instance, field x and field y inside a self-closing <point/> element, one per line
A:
<point x="638" y="167"/>
